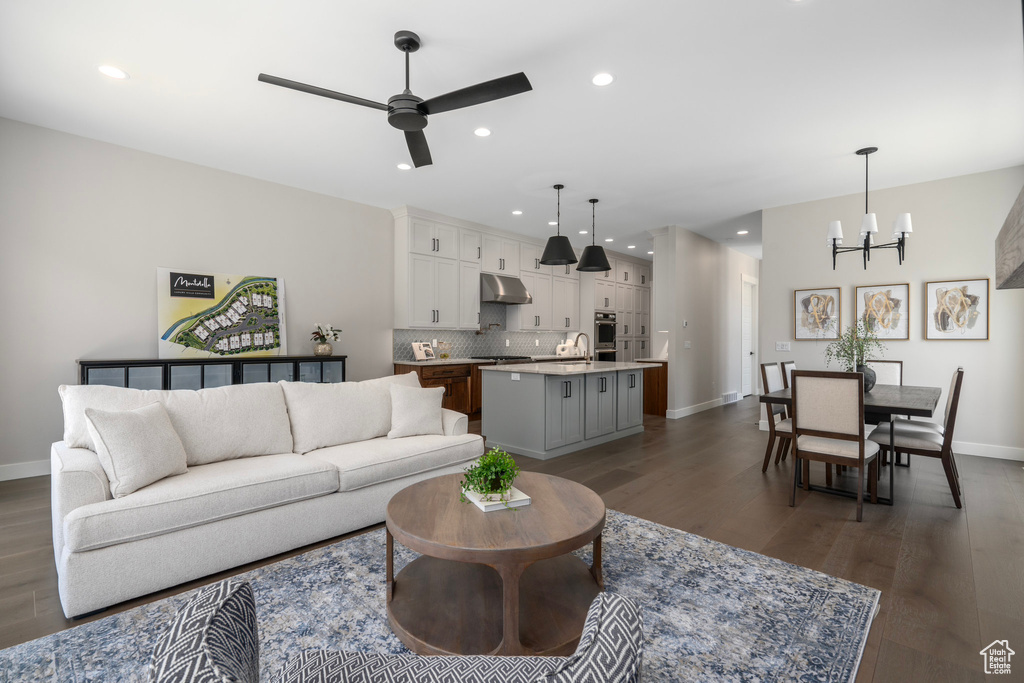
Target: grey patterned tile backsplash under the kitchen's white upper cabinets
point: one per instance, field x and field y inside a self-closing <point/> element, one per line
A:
<point x="466" y="344"/>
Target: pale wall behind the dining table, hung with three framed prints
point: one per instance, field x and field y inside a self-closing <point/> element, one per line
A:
<point x="956" y="222"/>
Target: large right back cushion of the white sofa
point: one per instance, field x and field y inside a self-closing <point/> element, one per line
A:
<point x="324" y="415"/>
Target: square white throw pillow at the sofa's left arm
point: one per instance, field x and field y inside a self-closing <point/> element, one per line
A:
<point x="136" y="448"/>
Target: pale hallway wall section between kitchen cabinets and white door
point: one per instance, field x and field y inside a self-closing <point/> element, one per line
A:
<point x="700" y="282"/>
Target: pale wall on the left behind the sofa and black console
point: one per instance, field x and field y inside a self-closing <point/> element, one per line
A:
<point x="83" y="227"/>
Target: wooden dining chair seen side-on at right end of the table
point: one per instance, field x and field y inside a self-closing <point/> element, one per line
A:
<point x="927" y="439"/>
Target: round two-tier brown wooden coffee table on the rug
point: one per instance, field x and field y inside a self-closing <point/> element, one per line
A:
<point x="494" y="583"/>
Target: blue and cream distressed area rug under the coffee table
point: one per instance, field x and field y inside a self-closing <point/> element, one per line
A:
<point x="711" y="613"/>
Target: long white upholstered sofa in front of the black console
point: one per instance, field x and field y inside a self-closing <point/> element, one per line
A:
<point x="271" y="467"/>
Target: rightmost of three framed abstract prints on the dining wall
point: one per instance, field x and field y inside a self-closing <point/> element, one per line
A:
<point x="957" y="310"/>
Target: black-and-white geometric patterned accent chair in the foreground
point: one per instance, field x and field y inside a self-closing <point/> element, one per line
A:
<point x="215" y="639"/>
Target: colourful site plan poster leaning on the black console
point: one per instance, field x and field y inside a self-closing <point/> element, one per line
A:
<point x="204" y="315"/>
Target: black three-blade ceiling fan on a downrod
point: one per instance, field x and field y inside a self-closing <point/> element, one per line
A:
<point x="409" y="113"/>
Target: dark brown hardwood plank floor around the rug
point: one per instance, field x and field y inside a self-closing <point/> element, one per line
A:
<point x="952" y="581"/>
